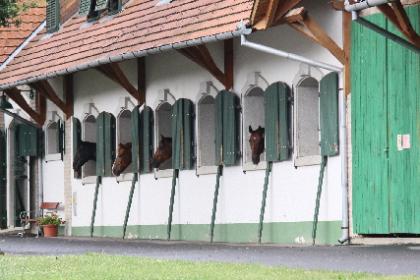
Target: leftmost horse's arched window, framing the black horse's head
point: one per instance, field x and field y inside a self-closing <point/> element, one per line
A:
<point x="89" y="135"/>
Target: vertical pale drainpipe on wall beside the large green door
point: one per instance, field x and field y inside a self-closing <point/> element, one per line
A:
<point x="344" y="180"/>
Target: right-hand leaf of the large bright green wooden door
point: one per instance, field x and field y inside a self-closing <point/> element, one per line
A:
<point x="404" y="122"/>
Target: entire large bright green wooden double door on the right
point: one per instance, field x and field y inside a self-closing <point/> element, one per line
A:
<point x="385" y="104"/>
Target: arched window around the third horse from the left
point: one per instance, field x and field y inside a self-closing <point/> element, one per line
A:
<point x="163" y="129"/>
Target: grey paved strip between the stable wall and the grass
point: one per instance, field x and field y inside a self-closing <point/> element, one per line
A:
<point x="403" y="259"/>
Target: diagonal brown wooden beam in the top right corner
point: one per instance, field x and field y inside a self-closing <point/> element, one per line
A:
<point x="397" y="15"/>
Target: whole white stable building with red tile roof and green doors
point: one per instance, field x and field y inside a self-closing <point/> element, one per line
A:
<point x="334" y="100"/>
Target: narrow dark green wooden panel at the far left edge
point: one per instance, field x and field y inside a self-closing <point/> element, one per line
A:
<point x="3" y="176"/>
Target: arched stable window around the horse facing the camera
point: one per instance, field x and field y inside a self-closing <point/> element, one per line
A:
<point x="254" y="117"/>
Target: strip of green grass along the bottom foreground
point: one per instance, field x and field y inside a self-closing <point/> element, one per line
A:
<point x="99" y="266"/>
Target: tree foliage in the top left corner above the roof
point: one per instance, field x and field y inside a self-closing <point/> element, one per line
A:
<point x="10" y="10"/>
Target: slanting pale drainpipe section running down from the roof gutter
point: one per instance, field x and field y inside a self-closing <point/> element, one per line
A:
<point x="287" y="55"/>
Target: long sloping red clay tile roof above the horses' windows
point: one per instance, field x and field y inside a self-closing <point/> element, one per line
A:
<point x="140" y="26"/>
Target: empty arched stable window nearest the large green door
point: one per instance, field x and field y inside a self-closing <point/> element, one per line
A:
<point x="307" y="126"/>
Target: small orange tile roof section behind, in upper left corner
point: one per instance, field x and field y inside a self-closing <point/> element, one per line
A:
<point x="11" y="37"/>
